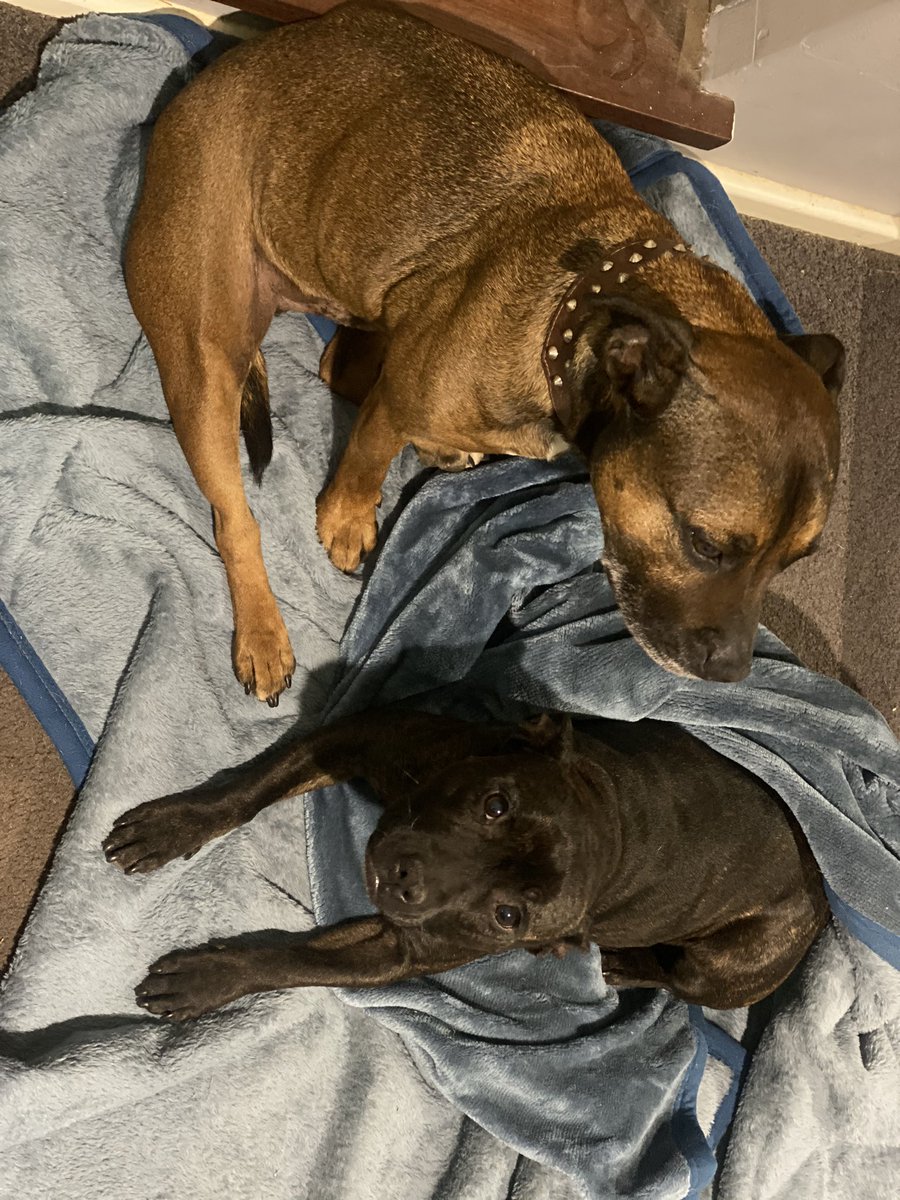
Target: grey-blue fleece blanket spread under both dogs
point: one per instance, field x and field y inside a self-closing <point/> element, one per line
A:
<point x="513" y="1077"/>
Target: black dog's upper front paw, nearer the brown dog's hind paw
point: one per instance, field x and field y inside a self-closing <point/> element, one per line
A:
<point x="160" y="831"/>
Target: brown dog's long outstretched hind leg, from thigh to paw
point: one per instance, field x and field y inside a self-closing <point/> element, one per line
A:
<point x="205" y="301"/>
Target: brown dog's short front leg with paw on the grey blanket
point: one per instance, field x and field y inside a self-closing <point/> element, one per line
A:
<point x="346" y="511"/>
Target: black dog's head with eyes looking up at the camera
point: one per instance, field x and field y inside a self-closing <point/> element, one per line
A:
<point x="495" y="850"/>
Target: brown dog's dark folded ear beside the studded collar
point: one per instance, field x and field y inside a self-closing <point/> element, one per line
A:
<point x="644" y="349"/>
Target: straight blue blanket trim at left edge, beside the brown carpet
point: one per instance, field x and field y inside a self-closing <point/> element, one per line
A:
<point x="45" y="698"/>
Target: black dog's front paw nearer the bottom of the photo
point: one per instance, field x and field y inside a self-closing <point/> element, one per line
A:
<point x="188" y="983"/>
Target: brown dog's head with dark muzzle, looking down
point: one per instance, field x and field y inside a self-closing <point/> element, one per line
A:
<point x="713" y="458"/>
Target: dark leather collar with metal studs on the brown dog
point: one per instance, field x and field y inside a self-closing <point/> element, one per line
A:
<point x="573" y="311"/>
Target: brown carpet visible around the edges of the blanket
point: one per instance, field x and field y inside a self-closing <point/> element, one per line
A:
<point x="841" y="610"/>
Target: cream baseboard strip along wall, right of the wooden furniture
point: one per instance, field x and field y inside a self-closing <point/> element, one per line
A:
<point x="757" y="197"/>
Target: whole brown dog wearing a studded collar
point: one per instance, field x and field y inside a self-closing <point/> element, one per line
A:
<point x="518" y="297"/>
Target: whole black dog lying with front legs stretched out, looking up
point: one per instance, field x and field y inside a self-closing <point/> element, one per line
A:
<point x="685" y="869"/>
